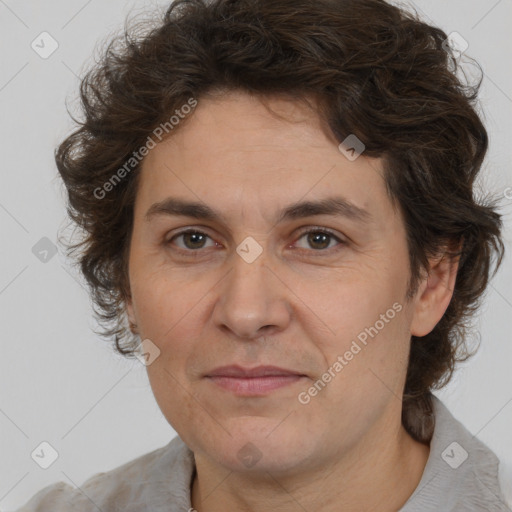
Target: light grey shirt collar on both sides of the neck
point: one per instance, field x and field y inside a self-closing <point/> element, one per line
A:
<point x="460" y="472"/>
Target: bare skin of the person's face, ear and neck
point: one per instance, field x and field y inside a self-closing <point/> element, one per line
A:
<point x="299" y="305"/>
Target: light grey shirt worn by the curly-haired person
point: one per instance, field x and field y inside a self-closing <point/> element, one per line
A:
<point x="461" y="475"/>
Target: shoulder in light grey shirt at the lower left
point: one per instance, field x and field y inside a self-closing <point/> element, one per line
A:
<point x="163" y="473"/>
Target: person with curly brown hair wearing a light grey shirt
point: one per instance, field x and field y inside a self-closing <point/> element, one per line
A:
<point x="279" y="217"/>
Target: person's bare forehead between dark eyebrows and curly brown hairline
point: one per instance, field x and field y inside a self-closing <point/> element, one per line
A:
<point x="232" y="153"/>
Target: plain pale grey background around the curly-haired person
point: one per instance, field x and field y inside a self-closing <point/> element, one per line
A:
<point x="62" y="384"/>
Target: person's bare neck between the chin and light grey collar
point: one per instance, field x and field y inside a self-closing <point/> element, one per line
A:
<point x="390" y="468"/>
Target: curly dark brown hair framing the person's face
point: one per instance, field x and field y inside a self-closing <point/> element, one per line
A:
<point x="374" y="70"/>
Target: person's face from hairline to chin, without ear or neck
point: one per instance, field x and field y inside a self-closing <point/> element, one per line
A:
<point x="309" y="296"/>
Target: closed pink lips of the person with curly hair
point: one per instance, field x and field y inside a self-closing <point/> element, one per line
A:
<point x="255" y="381"/>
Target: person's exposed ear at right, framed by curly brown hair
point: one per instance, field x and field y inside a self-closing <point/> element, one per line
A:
<point x="434" y="294"/>
